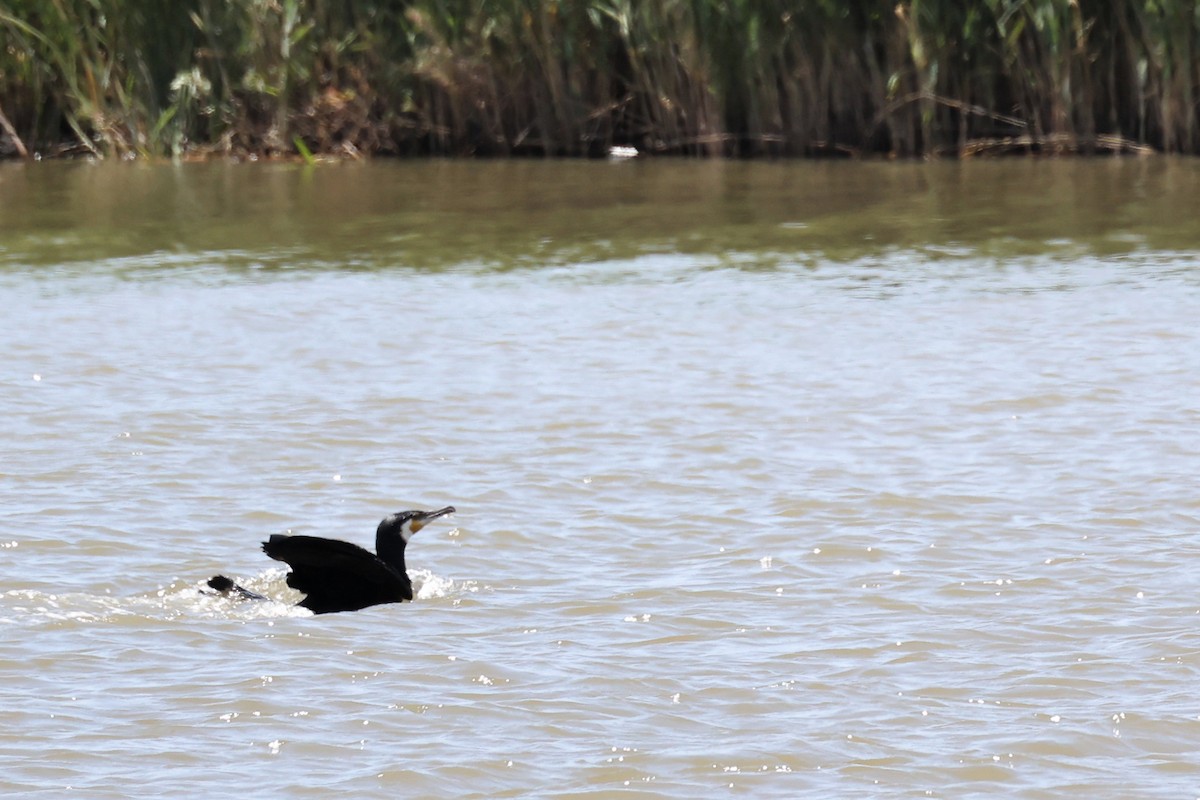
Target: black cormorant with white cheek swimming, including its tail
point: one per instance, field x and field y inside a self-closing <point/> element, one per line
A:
<point x="339" y="576"/>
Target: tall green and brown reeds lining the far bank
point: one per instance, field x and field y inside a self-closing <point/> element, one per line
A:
<point x="736" y="79"/>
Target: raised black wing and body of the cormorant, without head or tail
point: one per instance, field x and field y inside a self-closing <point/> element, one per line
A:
<point x="338" y="576"/>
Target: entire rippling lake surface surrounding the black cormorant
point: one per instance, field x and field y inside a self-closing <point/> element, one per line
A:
<point x="775" y="480"/>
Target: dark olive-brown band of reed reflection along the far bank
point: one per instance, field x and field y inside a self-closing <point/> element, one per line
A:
<point x="533" y="214"/>
